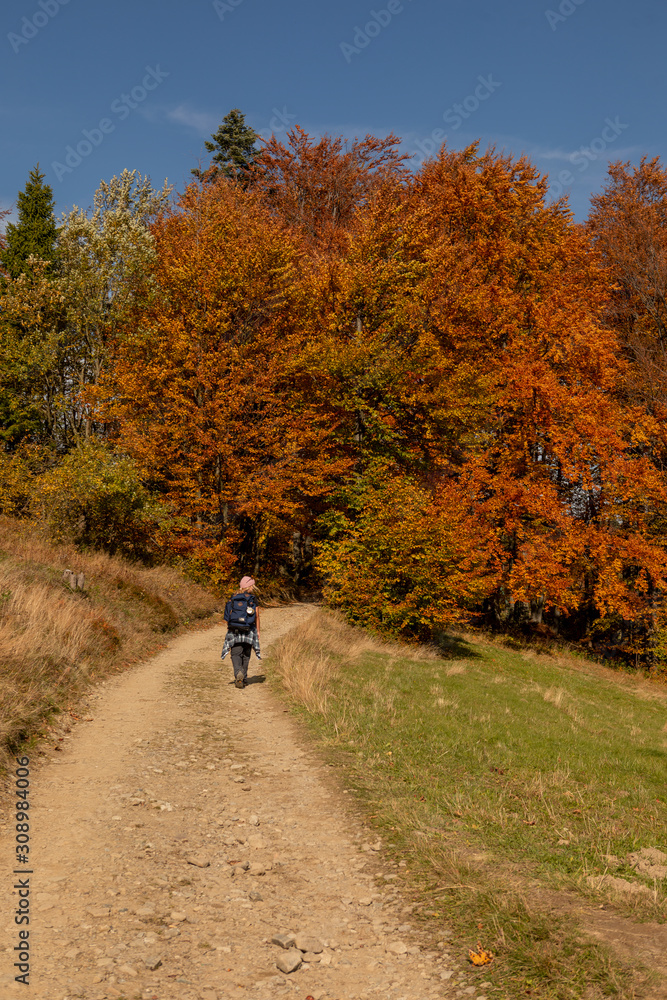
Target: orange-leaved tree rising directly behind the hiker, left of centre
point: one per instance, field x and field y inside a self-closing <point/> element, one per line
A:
<point x="202" y="379"/>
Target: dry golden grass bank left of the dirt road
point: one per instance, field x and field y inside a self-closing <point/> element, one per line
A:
<point x="54" y="642"/>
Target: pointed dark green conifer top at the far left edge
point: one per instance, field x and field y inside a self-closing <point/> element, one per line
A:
<point x="35" y="233"/>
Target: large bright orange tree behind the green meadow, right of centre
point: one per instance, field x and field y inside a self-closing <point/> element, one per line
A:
<point x="486" y="365"/>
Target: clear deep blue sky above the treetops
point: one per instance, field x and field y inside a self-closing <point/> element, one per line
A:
<point x="90" y="87"/>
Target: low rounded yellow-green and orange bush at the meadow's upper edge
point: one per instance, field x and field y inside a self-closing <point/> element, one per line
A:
<point x="394" y="561"/>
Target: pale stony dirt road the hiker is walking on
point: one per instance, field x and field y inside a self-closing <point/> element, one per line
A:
<point x="177" y="766"/>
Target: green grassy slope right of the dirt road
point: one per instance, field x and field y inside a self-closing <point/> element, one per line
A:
<point x="502" y="782"/>
